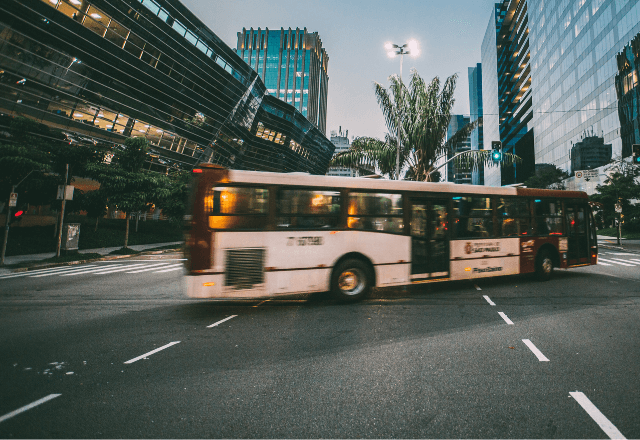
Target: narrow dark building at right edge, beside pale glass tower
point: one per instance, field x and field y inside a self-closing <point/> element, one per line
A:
<point x="628" y="93"/>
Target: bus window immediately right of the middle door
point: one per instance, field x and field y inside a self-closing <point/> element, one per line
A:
<point x="473" y="217"/>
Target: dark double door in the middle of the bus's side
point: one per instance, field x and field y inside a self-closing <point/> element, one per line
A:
<point x="429" y="239"/>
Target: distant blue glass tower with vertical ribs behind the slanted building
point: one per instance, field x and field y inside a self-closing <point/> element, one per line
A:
<point x="293" y="65"/>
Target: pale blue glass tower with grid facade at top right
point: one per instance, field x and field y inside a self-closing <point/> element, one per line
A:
<point x="573" y="63"/>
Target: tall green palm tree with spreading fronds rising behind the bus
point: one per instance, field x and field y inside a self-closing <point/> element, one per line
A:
<point x="419" y="116"/>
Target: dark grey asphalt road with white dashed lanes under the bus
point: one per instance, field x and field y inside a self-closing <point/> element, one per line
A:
<point x="493" y="359"/>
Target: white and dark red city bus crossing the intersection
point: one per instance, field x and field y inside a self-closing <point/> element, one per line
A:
<point x="262" y="234"/>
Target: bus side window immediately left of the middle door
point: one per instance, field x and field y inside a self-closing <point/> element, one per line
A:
<point x="375" y="212"/>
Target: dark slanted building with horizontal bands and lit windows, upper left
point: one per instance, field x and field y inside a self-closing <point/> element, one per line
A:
<point x="104" y="70"/>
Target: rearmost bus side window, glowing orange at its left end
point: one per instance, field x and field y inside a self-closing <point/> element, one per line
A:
<point x="237" y="207"/>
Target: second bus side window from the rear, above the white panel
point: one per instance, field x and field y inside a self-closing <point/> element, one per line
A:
<point x="305" y="209"/>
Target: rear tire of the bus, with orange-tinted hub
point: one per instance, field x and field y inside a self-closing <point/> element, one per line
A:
<point x="351" y="280"/>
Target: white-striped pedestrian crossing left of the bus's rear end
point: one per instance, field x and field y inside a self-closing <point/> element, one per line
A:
<point x="152" y="266"/>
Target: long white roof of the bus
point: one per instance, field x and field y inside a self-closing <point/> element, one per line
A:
<point x="304" y="179"/>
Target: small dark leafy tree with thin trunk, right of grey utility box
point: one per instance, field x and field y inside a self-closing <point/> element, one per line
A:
<point x="126" y="185"/>
